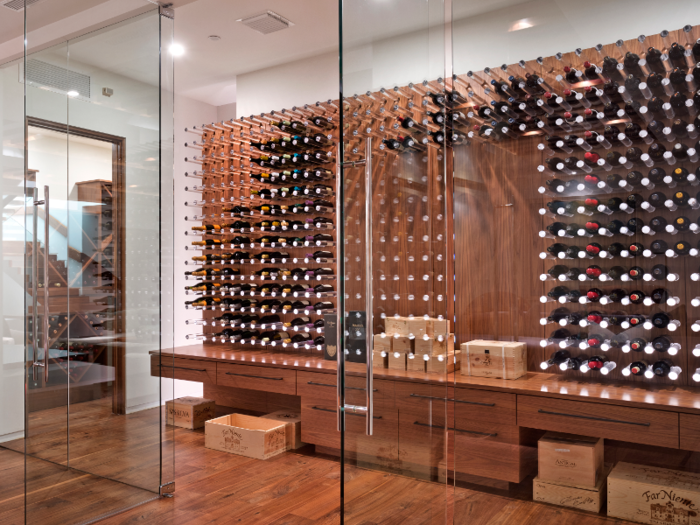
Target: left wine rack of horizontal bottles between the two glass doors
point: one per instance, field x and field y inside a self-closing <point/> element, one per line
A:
<point x="263" y="236"/>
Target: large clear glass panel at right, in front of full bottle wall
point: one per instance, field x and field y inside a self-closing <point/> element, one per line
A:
<point x="574" y="215"/>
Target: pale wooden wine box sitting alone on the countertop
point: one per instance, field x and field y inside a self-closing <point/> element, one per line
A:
<point x="497" y="359"/>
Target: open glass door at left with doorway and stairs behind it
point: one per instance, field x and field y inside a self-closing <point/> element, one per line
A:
<point x="92" y="227"/>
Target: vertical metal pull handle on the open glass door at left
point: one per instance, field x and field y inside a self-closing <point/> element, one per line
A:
<point x="35" y="273"/>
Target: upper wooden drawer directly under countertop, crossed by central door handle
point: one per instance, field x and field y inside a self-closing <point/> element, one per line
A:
<point x="317" y="386"/>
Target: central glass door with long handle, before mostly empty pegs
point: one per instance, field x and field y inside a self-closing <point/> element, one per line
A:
<point x="397" y="330"/>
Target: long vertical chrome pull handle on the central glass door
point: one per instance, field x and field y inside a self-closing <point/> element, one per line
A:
<point x="369" y="332"/>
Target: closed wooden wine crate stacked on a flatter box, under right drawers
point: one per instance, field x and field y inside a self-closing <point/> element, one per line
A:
<point x="570" y="459"/>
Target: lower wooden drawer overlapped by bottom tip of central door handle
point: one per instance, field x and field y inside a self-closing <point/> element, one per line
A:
<point x="319" y="424"/>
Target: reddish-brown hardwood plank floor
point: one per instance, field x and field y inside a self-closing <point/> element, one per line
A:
<point x="299" y="487"/>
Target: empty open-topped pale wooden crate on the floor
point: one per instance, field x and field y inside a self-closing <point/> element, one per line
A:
<point x="249" y="436"/>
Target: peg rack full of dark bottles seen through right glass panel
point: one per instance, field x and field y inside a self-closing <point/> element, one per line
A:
<point x="613" y="185"/>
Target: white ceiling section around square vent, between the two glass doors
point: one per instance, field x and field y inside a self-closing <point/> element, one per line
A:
<point x="208" y="69"/>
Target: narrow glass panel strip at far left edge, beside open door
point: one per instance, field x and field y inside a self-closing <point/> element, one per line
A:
<point x="13" y="204"/>
